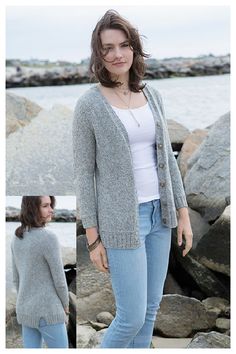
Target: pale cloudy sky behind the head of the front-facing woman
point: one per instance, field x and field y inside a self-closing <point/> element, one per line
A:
<point x="64" y="32"/>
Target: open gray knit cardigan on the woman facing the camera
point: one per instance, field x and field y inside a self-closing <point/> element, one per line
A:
<point x="104" y="178"/>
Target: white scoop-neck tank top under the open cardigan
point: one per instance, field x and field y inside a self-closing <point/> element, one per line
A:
<point x="142" y="144"/>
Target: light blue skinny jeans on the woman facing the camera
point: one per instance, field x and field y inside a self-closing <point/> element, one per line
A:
<point x="137" y="277"/>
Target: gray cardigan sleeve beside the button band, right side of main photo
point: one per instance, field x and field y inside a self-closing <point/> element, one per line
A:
<point x="176" y="179"/>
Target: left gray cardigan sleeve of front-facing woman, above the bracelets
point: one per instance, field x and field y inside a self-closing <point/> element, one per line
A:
<point x="84" y="151"/>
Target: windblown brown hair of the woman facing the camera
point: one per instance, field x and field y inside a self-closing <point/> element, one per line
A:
<point x="113" y="20"/>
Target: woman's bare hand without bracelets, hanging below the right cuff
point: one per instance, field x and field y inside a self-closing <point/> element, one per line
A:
<point x="184" y="228"/>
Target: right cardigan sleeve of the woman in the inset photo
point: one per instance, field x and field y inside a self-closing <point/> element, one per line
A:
<point x="52" y="254"/>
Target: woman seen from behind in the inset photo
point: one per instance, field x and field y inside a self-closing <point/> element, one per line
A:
<point x="38" y="274"/>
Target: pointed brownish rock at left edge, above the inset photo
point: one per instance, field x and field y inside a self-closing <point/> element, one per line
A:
<point x="19" y="112"/>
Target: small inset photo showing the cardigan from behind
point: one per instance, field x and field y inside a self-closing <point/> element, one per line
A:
<point x="40" y="271"/>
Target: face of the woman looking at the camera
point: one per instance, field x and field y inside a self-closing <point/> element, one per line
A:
<point x="119" y="56"/>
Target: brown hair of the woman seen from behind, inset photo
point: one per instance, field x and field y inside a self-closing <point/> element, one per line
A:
<point x="30" y="213"/>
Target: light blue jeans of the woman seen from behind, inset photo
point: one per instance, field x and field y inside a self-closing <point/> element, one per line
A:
<point x="55" y="336"/>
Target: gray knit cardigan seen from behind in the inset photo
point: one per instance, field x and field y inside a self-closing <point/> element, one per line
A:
<point x="39" y="277"/>
